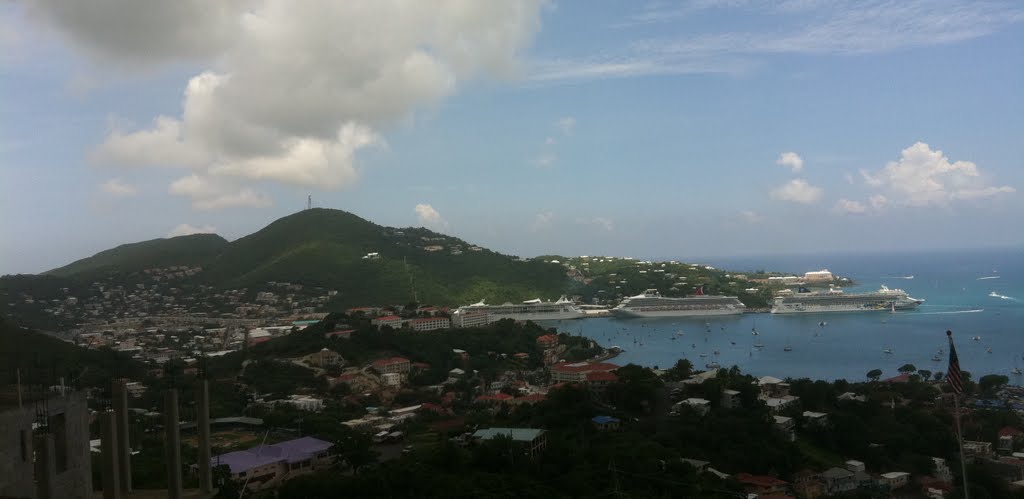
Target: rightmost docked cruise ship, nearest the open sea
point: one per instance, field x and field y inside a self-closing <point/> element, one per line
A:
<point x="836" y="301"/>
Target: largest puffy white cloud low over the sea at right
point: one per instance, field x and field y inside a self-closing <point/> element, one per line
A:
<point x="923" y="177"/>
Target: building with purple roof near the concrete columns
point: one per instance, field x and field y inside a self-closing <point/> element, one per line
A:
<point x="267" y="467"/>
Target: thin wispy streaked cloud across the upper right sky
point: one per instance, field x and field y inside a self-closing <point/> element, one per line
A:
<point x="799" y="27"/>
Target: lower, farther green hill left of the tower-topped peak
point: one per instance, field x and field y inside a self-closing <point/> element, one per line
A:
<point x="184" y="251"/>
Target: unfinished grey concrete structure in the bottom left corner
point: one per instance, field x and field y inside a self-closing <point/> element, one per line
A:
<point x="51" y="461"/>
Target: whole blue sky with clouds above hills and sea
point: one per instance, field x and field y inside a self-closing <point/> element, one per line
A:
<point x="654" y="131"/>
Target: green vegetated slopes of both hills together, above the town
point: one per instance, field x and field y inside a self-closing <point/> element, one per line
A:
<point x="322" y="248"/>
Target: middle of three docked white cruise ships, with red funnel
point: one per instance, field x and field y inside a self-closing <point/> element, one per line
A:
<point x="652" y="304"/>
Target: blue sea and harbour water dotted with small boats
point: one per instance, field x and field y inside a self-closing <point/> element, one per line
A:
<point x="977" y="295"/>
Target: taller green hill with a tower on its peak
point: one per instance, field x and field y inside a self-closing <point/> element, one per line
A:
<point x="327" y="248"/>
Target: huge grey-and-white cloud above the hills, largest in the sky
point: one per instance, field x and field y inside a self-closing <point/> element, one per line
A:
<point x="293" y="92"/>
